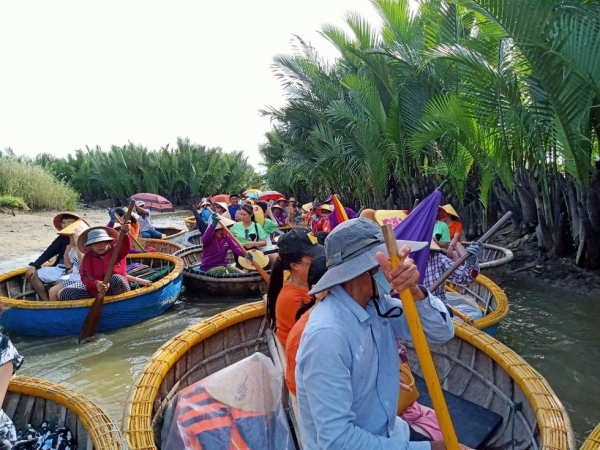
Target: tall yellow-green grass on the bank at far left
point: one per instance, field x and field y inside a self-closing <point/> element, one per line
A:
<point x="33" y="185"/>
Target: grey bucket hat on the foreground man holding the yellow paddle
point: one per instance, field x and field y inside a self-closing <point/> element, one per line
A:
<point x="350" y="250"/>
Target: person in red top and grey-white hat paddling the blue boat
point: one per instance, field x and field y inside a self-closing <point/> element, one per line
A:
<point x="97" y="245"/>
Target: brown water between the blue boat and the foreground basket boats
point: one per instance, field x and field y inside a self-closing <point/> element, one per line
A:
<point x="104" y="370"/>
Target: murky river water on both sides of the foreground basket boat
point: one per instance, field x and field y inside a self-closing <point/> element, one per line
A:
<point x="555" y="331"/>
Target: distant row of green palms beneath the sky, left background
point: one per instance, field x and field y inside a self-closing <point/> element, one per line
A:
<point x="181" y="174"/>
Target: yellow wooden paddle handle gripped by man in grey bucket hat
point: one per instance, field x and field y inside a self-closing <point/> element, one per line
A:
<point x="416" y="330"/>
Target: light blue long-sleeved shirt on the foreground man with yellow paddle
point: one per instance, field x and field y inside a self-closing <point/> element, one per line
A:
<point x="347" y="372"/>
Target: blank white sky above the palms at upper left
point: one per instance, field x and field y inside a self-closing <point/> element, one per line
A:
<point x="77" y="73"/>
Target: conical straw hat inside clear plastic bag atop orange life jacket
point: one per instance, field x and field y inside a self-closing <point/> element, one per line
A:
<point x="252" y="384"/>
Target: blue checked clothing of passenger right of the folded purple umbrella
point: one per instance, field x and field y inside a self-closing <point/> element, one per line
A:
<point x="438" y="263"/>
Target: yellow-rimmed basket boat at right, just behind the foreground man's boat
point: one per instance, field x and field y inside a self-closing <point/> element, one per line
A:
<point x="489" y="297"/>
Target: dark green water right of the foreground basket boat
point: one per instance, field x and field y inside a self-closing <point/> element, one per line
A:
<point x="557" y="332"/>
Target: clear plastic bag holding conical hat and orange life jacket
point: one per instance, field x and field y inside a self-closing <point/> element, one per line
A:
<point x="236" y="407"/>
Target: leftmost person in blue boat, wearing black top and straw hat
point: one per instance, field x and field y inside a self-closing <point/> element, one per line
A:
<point x="38" y="275"/>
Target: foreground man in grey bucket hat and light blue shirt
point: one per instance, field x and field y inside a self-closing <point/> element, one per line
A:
<point x="347" y="366"/>
